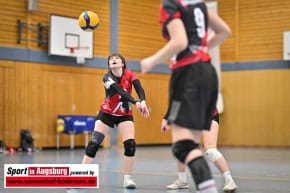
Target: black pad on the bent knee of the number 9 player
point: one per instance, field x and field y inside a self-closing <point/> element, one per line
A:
<point x="182" y="148"/>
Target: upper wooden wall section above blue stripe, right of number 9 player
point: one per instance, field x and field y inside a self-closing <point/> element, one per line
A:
<point x="257" y="27"/>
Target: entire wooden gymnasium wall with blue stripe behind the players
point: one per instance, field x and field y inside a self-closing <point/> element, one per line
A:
<point x="254" y="78"/>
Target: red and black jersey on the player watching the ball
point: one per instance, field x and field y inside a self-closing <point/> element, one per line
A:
<point x="118" y="93"/>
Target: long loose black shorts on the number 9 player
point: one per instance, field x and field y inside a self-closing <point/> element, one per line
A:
<point x="193" y="96"/>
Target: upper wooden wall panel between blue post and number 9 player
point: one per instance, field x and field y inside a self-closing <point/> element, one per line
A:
<point x="139" y="29"/>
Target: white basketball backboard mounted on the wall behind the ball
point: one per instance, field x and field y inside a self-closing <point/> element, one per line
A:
<point x="67" y="39"/>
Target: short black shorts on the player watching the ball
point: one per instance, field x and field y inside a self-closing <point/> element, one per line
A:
<point x="112" y="120"/>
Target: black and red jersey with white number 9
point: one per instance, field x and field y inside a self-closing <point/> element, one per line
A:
<point x="193" y="13"/>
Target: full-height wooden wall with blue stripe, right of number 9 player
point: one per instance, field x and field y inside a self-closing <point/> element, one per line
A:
<point x="255" y="80"/>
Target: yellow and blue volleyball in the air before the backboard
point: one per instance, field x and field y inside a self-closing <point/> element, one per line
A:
<point x="88" y="21"/>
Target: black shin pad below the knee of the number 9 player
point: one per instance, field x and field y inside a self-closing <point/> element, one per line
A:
<point x="200" y="171"/>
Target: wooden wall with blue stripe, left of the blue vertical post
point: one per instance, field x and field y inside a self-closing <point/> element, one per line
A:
<point x="33" y="93"/>
